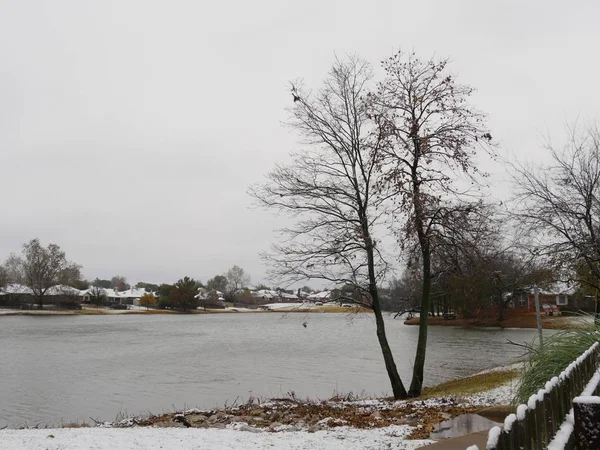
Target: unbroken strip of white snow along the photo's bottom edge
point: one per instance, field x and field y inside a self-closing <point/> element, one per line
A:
<point x="341" y="438"/>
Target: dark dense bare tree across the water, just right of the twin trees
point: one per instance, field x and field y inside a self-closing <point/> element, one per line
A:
<point x="478" y="259"/>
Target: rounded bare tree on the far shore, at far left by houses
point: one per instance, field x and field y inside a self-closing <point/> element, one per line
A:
<point x="40" y="268"/>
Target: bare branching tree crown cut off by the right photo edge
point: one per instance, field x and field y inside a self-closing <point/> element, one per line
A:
<point x="559" y="204"/>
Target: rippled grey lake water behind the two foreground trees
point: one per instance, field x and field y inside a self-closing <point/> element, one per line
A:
<point x="57" y="370"/>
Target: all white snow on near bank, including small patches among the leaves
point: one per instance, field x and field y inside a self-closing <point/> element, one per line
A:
<point x="238" y="435"/>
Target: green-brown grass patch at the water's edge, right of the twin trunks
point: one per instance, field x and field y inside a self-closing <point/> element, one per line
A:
<point x="471" y="385"/>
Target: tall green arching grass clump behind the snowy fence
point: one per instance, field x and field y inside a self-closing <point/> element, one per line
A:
<point x="558" y="351"/>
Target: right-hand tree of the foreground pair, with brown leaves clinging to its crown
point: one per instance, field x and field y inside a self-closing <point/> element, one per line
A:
<point x="432" y="135"/>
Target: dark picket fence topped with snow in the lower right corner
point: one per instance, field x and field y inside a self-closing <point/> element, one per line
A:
<point x="559" y="416"/>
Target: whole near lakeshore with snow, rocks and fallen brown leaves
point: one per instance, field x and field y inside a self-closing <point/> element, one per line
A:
<point x="281" y="423"/>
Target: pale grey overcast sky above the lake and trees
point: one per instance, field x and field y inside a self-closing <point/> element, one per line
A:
<point x="130" y="129"/>
